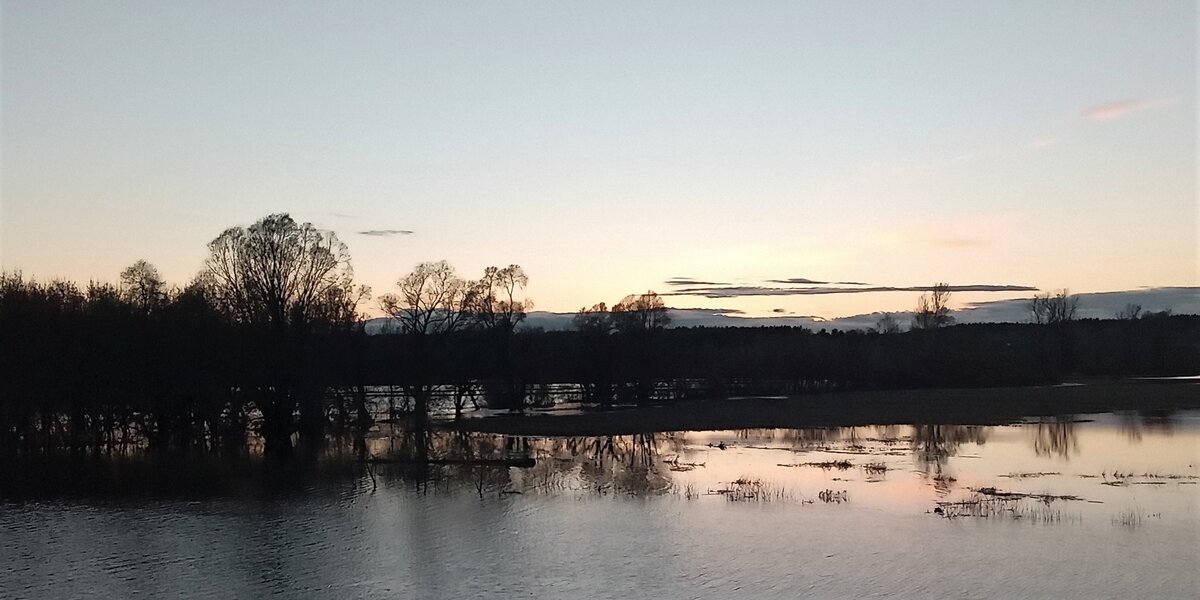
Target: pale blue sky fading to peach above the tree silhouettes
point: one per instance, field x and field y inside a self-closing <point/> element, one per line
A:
<point x="689" y="148"/>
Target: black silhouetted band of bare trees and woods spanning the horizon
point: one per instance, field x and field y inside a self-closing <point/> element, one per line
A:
<point x="268" y="343"/>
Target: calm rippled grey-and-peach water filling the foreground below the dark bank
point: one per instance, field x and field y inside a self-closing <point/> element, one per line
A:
<point x="1085" y="507"/>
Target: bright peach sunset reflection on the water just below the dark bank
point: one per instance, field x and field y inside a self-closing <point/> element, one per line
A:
<point x="1115" y="464"/>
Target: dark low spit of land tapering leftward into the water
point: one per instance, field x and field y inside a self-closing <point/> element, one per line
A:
<point x="983" y="406"/>
